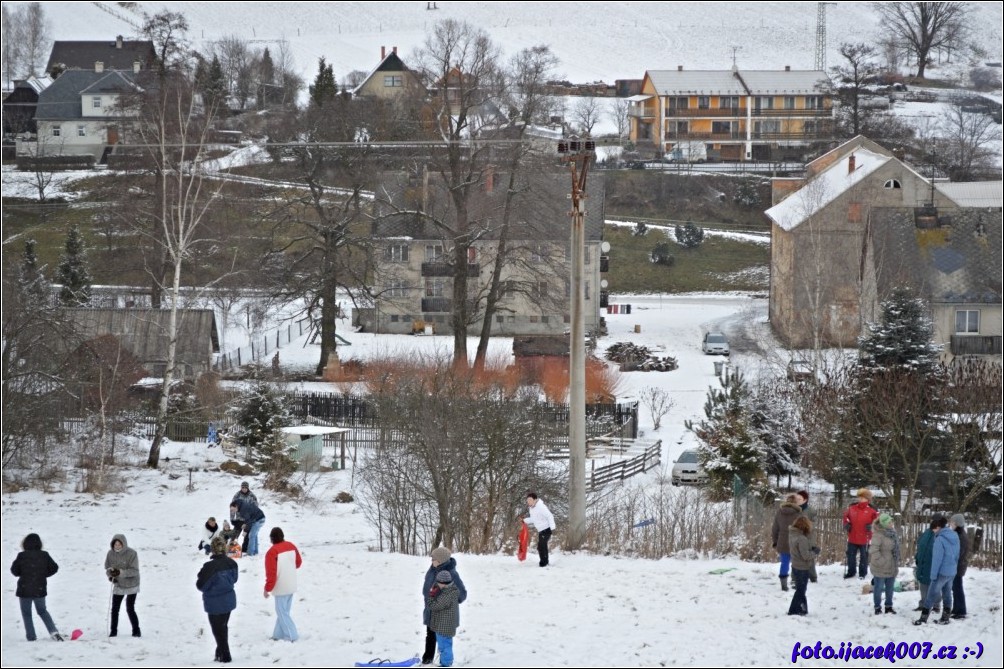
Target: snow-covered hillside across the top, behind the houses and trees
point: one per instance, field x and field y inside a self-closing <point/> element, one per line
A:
<point x="599" y="41"/>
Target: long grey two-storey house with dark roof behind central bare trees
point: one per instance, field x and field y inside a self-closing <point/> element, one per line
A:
<point x="414" y="266"/>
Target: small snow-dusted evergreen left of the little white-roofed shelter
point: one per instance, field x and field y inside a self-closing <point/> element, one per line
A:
<point x="260" y="413"/>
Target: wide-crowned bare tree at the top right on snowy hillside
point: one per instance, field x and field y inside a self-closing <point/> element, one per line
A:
<point x="923" y="28"/>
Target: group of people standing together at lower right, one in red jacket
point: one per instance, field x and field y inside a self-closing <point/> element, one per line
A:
<point x="873" y="543"/>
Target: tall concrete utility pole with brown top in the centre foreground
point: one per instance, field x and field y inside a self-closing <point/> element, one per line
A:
<point x="578" y="154"/>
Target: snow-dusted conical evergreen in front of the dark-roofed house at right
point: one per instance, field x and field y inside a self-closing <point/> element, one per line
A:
<point x="904" y="336"/>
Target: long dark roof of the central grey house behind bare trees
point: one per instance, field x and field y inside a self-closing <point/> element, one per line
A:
<point x="542" y="207"/>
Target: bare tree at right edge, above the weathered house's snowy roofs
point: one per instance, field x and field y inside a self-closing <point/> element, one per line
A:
<point x="966" y="149"/>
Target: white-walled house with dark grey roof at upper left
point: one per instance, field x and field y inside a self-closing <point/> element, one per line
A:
<point x="80" y="114"/>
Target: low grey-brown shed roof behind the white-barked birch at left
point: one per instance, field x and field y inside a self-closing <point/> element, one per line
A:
<point x="144" y="332"/>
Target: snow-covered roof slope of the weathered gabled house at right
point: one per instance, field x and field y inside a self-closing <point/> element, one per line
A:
<point x="825" y="188"/>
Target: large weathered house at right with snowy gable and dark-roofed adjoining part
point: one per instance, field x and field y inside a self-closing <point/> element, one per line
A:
<point x="840" y="245"/>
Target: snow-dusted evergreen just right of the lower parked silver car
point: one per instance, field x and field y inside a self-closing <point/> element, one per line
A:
<point x="730" y="448"/>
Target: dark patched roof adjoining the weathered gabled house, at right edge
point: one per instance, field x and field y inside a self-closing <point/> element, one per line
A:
<point x="957" y="263"/>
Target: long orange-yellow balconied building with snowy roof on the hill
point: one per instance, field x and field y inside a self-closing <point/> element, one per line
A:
<point x="732" y="115"/>
